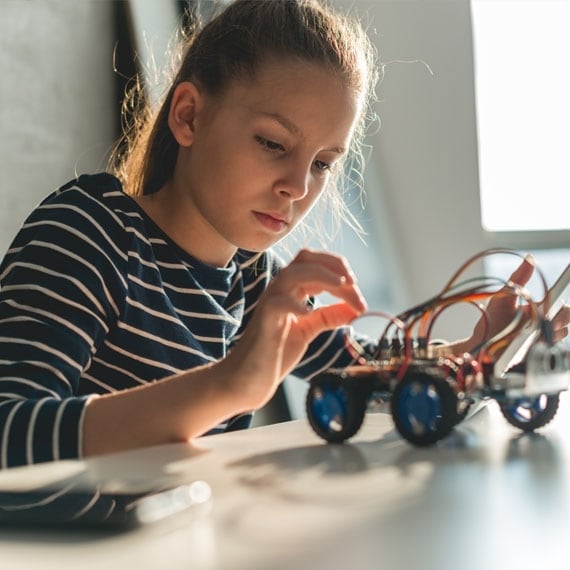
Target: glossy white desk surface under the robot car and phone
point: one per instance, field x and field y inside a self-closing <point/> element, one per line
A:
<point x="486" y="497"/>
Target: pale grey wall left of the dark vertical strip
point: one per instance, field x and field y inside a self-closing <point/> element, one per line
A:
<point x="56" y="97"/>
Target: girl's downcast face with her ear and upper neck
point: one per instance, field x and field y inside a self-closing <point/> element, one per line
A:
<point x="253" y="162"/>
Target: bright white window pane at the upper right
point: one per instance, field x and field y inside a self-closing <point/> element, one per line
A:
<point x="522" y="50"/>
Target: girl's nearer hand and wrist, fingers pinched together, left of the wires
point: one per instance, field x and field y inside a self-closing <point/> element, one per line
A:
<point x="284" y="324"/>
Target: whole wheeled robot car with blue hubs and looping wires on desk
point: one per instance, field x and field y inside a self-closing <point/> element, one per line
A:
<point x="429" y="390"/>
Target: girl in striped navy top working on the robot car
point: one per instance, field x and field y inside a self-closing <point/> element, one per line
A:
<point x="145" y="306"/>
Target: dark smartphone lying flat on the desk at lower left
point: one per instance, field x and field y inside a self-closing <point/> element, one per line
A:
<point x="33" y="497"/>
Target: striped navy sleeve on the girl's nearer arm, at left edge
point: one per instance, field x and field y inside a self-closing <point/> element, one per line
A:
<point x="61" y="289"/>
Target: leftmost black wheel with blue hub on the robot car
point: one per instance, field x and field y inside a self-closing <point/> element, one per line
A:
<point x="335" y="407"/>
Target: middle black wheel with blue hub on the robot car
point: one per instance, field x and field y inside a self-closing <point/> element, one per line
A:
<point x="424" y="408"/>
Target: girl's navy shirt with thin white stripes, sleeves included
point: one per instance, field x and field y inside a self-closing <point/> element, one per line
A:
<point x="95" y="298"/>
